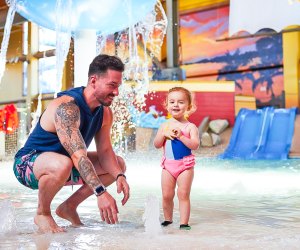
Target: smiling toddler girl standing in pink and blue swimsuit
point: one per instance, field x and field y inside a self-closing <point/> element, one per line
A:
<point x="178" y="137"/>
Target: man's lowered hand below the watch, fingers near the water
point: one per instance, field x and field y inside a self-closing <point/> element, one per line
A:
<point x="108" y="208"/>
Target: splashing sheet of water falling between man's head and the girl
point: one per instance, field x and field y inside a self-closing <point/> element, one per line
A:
<point x="137" y="46"/>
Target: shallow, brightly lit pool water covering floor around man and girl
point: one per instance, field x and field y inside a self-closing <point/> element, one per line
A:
<point x="235" y="205"/>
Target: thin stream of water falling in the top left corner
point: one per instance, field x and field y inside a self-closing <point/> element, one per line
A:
<point x="7" y="29"/>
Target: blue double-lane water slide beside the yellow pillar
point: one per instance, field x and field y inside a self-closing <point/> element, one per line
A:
<point x="261" y="134"/>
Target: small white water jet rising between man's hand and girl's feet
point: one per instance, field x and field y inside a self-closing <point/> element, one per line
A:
<point x="151" y="216"/>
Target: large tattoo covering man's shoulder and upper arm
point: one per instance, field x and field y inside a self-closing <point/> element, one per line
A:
<point x="67" y="119"/>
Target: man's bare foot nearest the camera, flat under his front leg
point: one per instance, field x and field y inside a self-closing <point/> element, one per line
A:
<point x="46" y="224"/>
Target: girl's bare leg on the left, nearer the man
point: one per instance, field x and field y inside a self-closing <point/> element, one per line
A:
<point x="168" y="184"/>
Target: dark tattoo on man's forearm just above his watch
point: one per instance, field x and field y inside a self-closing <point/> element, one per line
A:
<point x="87" y="172"/>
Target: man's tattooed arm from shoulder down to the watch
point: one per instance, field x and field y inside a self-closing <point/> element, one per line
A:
<point x="67" y="122"/>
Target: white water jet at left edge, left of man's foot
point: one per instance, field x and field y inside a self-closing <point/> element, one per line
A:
<point x="7" y="217"/>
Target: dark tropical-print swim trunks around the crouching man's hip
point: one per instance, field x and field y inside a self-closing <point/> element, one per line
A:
<point x="23" y="169"/>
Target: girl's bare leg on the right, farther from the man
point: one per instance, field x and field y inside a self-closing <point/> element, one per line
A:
<point x="184" y="182"/>
